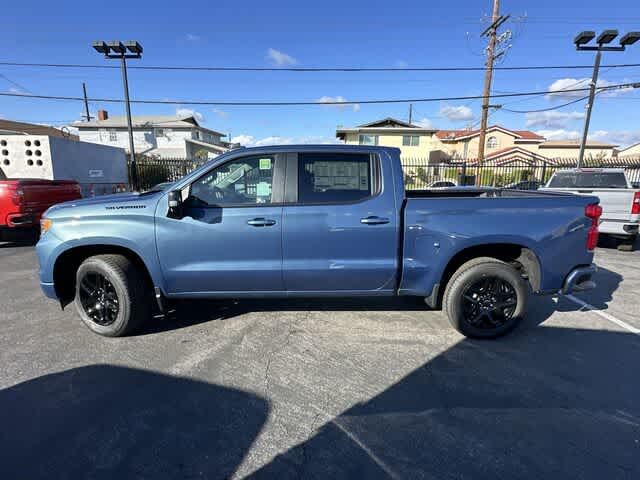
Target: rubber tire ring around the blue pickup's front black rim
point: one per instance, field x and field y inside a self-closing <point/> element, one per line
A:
<point x="116" y="328"/>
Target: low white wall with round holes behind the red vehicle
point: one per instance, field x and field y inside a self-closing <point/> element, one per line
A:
<point x="55" y="158"/>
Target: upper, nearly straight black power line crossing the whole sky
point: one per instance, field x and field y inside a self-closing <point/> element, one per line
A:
<point x="314" y="69"/>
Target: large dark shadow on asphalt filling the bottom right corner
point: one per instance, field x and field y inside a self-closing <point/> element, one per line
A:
<point x="551" y="403"/>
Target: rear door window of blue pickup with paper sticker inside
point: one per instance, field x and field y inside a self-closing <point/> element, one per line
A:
<point x="334" y="177"/>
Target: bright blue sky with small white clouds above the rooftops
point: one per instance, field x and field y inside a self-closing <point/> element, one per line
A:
<point x="327" y="33"/>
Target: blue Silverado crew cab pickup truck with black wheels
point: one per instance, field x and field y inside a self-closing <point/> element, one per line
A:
<point x="313" y="221"/>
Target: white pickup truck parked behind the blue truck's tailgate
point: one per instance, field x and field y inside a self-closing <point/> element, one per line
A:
<point x="620" y="202"/>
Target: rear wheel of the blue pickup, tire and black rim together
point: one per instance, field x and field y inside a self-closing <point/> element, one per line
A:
<point x="469" y="302"/>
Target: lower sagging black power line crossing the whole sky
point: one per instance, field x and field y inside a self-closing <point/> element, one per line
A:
<point x="316" y="103"/>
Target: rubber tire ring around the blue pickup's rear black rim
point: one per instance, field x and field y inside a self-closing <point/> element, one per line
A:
<point x="472" y="275"/>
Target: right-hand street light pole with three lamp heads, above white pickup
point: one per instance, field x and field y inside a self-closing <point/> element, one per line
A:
<point x="602" y="45"/>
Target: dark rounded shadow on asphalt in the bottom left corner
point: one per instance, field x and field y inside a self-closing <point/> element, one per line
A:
<point x="107" y="422"/>
